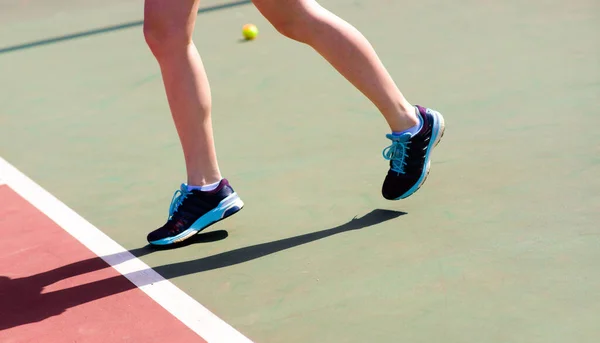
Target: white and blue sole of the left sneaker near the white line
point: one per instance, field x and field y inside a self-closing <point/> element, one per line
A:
<point x="226" y="208"/>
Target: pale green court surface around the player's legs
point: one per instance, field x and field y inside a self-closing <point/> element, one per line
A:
<point x="502" y="244"/>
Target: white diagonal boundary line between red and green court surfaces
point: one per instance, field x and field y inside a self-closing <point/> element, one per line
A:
<point x="185" y="308"/>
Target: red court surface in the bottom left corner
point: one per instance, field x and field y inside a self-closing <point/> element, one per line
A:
<point x="54" y="289"/>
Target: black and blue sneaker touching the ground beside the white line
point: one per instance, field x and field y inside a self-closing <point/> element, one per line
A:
<point x="193" y="211"/>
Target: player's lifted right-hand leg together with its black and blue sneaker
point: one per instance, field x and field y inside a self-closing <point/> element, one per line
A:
<point x="415" y="130"/>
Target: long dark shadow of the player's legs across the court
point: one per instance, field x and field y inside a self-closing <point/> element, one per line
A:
<point x="23" y="302"/>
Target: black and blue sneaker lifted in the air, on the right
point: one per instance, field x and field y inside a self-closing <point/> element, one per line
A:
<point x="409" y="156"/>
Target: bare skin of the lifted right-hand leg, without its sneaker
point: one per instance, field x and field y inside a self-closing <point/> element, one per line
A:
<point x="346" y="49"/>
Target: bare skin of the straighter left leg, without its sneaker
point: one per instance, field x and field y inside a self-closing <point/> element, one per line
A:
<point x="168" y="27"/>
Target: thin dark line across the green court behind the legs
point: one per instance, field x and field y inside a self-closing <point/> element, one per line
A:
<point x="110" y="29"/>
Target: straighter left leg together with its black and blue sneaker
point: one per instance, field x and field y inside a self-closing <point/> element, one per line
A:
<point x="206" y="198"/>
